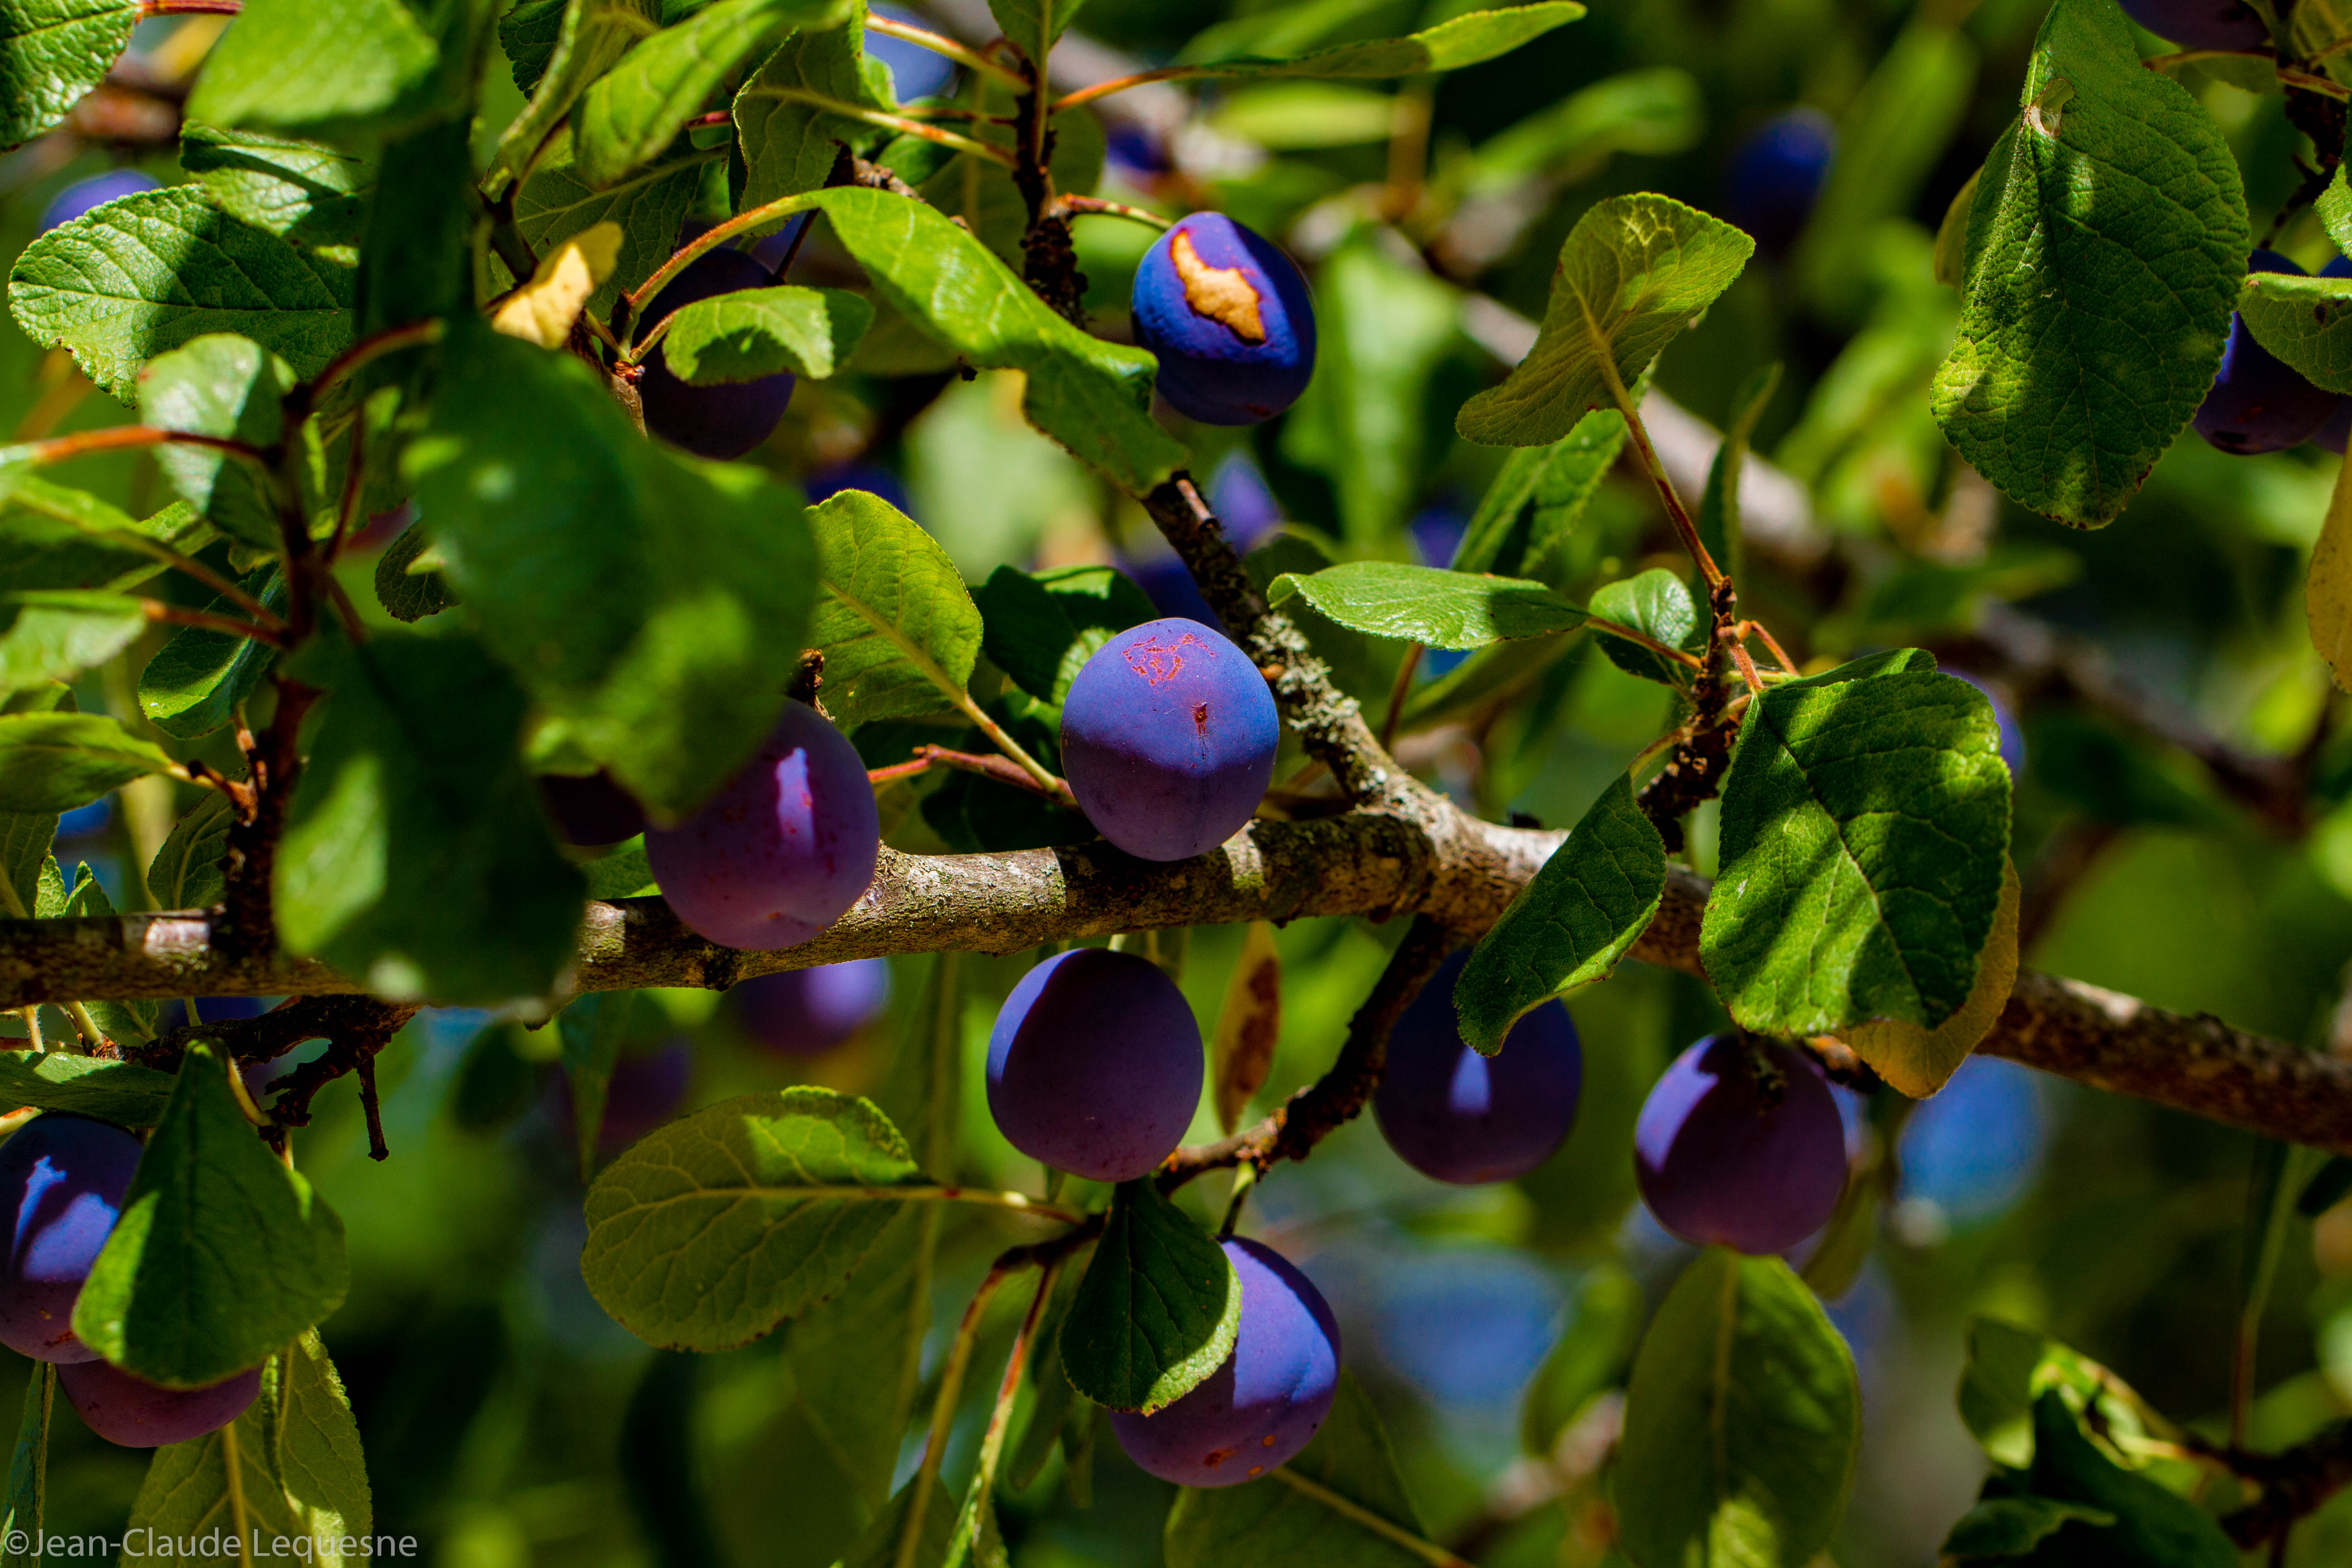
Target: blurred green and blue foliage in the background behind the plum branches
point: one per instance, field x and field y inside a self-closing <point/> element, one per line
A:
<point x="512" y="1423"/>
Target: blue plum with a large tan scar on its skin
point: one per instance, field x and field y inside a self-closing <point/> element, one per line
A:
<point x="1229" y="319"/>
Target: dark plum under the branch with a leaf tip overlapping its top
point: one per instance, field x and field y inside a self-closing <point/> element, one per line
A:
<point x="1464" y="1118"/>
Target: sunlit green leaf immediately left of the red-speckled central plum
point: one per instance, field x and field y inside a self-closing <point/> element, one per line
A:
<point x="897" y="626"/>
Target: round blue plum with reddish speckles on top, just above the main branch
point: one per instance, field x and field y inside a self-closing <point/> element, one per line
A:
<point x="1168" y="739"/>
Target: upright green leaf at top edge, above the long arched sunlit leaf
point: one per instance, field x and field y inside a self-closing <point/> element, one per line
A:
<point x="787" y="116"/>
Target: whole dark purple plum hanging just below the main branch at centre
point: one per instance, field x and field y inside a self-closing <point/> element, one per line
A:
<point x="1095" y="1066"/>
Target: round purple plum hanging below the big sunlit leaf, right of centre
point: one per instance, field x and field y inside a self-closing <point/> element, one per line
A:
<point x="1742" y="1158"/>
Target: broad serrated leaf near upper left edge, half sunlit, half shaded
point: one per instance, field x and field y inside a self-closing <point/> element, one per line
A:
<point x="159" y="269"/>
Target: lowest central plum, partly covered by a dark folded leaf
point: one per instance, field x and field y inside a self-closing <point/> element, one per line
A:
<point x="1269" y="1398"/>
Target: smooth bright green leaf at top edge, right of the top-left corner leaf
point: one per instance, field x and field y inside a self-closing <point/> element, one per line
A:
<point x="302" y="67"/>
